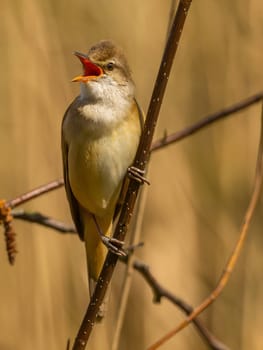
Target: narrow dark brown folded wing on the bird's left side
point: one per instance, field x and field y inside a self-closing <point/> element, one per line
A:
<point x="73" y="203"/>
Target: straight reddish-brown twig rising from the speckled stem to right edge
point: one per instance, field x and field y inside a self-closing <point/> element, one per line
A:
<point x="206" y="121"/>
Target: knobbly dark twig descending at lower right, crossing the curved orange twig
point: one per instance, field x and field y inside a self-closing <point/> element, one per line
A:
<point x="160" y="292"/>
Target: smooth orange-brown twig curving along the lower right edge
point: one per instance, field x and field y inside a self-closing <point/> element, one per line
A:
<point x="236" y="251"/>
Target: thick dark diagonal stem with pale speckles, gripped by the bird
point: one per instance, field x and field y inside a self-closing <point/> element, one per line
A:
<point x="140" y="163"/>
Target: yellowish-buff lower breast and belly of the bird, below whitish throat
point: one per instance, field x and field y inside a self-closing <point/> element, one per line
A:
<point x="98" y="165"/>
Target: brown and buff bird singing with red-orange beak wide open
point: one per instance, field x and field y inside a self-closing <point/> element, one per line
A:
<point x="100" y="134"/>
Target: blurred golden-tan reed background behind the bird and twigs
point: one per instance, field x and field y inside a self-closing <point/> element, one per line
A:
<point x="199" y="188"/>
